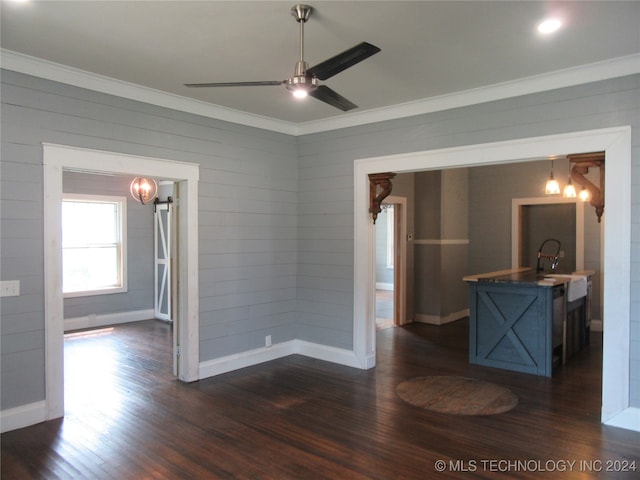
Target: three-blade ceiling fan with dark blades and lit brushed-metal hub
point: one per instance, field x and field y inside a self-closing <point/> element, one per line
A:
<point x="305" y="80"/>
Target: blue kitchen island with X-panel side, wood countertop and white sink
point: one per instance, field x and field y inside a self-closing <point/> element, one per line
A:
<point x="528" y="322"/>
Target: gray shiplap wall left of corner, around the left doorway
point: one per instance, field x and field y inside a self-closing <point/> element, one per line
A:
<point x="247" y="217"/>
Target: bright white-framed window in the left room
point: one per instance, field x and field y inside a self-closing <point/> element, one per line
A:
<point x="93" y="247"/>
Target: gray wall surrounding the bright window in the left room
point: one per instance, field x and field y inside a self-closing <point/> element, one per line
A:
<point x="139" y="295"/>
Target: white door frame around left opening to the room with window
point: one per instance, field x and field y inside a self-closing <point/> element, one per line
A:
<point x="56" y="159"/>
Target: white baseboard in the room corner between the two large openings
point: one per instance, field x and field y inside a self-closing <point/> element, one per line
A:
<point x="218" y="366"/>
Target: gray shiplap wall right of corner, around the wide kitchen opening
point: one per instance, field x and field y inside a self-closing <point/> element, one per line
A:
<point x="326" y="187"/>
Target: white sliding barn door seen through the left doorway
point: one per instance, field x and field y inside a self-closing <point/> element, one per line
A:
<point x="162" y="262"/>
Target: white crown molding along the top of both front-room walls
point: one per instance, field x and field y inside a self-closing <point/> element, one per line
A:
<point x="593" y="72"/>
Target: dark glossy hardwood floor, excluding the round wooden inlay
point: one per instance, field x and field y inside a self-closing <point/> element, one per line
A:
<point x="299" y="418"/>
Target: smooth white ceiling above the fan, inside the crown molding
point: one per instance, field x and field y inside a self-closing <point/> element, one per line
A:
<point x="429" y="49"/>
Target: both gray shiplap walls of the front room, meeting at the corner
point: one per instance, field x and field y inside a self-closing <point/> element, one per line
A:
<point x="276" y="212"/>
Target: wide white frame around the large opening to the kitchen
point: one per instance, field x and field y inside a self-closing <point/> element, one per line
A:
<point x="616" y="142"/>
